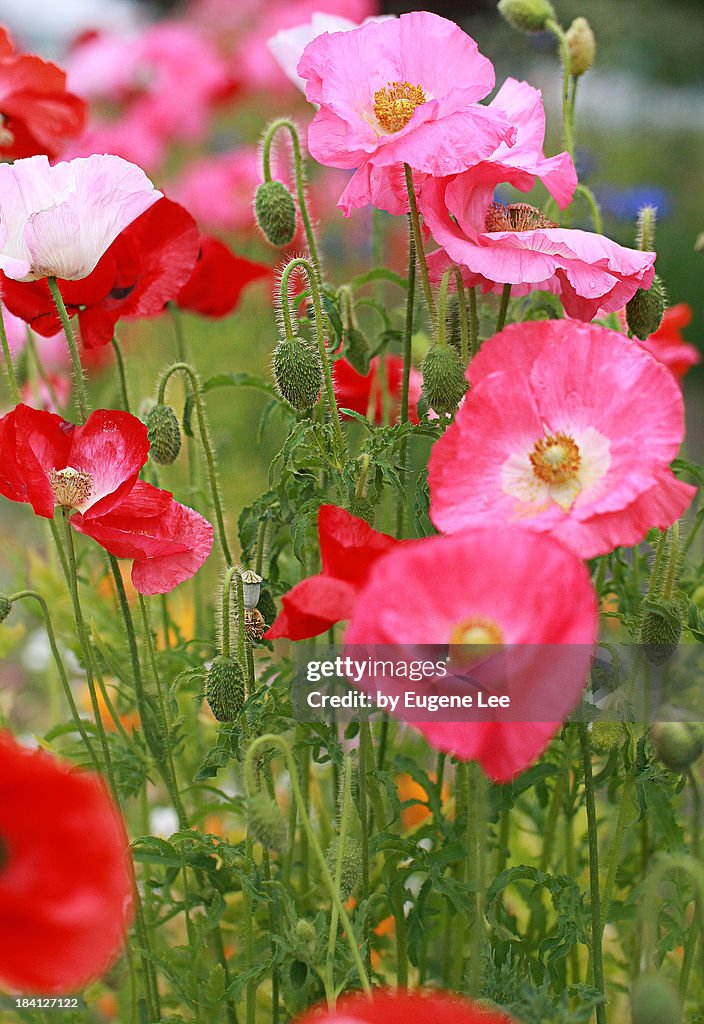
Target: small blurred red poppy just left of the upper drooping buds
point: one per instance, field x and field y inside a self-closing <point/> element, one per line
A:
<point x="218" y="280"/>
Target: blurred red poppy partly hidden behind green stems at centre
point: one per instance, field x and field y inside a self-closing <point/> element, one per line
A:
<point x="359" y="392"/>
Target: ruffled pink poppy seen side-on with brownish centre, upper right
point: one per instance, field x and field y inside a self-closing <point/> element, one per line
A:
<point x="516" y="245"/>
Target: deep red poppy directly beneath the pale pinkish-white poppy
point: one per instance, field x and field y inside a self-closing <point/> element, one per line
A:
<point x="145" y="269"/>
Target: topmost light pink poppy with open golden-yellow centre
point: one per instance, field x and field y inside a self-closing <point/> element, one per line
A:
<point x="402" y="92"/>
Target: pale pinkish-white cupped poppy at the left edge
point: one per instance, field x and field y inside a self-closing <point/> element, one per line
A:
<point x="59" y="221"/>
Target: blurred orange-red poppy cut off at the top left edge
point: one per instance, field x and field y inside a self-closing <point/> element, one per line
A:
<point x="38" y="114"/>
